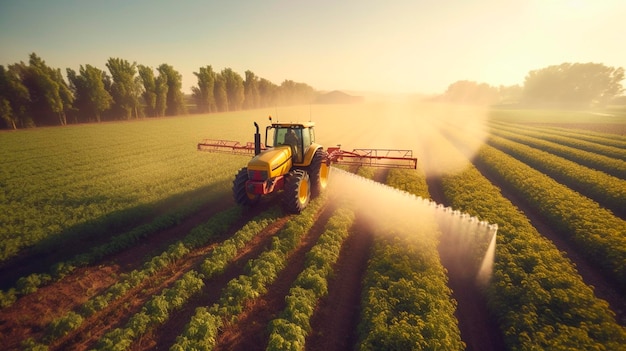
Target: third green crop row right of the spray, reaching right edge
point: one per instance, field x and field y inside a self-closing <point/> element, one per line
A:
<point x="605" y="189"/>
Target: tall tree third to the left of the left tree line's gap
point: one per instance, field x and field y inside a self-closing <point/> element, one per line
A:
<point x="125" y="87"/>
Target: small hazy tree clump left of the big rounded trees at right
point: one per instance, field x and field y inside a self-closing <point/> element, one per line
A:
<point x="468" y="92"/>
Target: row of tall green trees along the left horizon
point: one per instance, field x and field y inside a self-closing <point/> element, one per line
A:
<point x="35" y="94"/>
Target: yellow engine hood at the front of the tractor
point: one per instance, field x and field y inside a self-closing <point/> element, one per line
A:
<point x="270" y="163"/>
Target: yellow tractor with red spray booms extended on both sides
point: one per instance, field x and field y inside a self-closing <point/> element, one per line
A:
<point x="291" y="161"/>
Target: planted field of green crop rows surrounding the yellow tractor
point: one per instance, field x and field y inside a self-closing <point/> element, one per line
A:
<point x="122" y="236"/>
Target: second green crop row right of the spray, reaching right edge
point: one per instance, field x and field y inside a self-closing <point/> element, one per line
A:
<point x="600" y="235"/>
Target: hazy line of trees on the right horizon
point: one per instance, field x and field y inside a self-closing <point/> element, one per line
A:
<point x="568" y="85"/>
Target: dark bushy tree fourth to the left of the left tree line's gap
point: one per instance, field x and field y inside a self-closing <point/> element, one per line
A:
<point x="91" y="97"/>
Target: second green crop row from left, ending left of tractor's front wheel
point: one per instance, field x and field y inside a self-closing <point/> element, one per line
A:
<point x="200" y="235"/>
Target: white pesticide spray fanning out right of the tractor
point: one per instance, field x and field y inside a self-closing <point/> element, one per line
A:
<point x="469" y="242"/>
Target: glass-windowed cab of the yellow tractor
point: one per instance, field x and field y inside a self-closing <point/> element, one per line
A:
<point x="299" y="136"/>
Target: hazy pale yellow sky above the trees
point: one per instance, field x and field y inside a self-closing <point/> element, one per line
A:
<point x="415" y="46"/>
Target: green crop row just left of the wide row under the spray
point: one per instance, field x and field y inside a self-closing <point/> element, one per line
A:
<point x="290" y="329"/>
